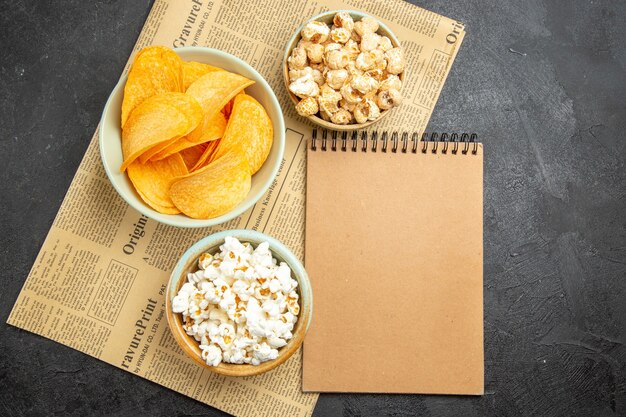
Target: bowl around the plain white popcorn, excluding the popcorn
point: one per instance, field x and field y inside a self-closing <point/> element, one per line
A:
<point x="189" y="263"/>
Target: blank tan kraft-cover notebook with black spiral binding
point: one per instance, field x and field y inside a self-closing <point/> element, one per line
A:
<point x="394" y="251"/>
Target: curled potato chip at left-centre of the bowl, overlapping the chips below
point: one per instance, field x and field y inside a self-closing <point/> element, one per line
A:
<point x="160" y="119"/>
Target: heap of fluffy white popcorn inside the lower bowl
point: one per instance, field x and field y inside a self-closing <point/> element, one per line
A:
<point x="241" y="305"/>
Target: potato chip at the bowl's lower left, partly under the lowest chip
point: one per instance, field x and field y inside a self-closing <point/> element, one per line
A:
<point x="152" y="181"/>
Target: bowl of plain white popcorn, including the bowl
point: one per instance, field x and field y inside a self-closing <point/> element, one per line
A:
<point x="239" y="303"/>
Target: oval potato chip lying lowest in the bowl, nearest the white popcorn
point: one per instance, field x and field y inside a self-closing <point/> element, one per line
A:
<point x="215" y="189"/>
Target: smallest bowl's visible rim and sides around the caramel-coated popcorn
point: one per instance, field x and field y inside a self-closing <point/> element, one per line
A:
<point x="327" y="17"/>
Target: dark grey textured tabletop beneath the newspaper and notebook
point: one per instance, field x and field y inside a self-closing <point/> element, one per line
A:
<point x="544" y="84"/>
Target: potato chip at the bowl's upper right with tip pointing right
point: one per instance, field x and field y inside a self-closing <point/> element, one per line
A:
<point x="215" y="89"/>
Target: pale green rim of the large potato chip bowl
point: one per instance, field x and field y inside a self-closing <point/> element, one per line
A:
<point x="188" y="222"/>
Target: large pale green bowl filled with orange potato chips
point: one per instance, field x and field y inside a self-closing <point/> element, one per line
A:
<point x="191" y="137"/>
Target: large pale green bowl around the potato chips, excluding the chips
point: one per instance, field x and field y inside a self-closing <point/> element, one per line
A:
<point x="110" y="140"/>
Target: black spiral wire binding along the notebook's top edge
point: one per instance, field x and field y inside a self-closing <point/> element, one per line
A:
<point x="452" y="142"/>
